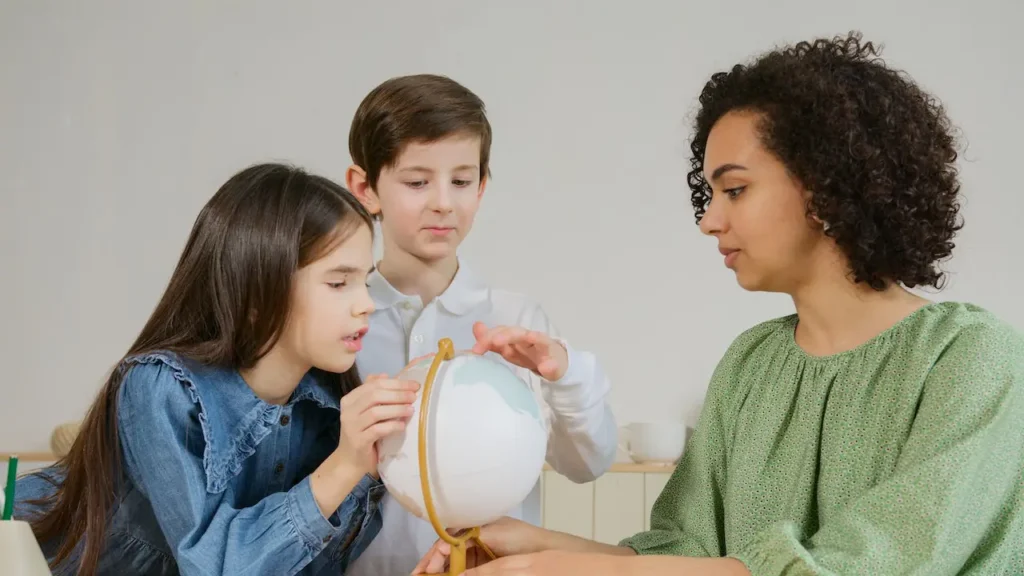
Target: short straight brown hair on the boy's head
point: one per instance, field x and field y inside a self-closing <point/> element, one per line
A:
<point x="420" y="108"/>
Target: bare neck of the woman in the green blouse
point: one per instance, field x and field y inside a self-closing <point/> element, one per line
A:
<point x="837" y="315"/>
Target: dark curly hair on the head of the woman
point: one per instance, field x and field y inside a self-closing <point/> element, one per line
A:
<point x="877" y="152"/>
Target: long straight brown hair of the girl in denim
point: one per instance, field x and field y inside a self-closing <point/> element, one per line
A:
<point x="226" y="305"/>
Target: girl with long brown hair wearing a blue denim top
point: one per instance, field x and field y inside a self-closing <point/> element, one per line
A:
<point x="217" y="445"/>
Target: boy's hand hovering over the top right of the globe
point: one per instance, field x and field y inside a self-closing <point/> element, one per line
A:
<point x="528" y="349"/>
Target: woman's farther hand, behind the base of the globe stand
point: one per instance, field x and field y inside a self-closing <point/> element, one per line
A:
<point x="506" y="537"/>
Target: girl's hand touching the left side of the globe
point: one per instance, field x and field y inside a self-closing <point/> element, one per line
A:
<point x="378" y="407"/>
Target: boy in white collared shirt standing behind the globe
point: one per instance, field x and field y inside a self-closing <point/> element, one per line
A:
<point x="420" y="147"/>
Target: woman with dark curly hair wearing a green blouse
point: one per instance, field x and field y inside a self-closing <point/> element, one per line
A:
<point x="870" y="433"/>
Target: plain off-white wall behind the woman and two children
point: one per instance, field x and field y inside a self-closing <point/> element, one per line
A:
<point x="120" y="119"/>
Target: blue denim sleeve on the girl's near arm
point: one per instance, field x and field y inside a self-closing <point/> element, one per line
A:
<point x="159" y="425"/>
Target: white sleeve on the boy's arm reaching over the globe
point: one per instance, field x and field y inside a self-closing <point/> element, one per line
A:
<point x="584" y="434"/>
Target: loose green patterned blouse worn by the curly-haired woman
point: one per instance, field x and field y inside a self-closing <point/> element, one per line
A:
<point x="903" y="457"/>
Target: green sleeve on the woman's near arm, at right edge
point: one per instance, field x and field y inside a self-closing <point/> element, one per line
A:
<point x="955" y="500"/>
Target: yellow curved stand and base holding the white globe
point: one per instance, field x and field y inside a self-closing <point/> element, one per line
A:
<point x="457" y="558"/>
